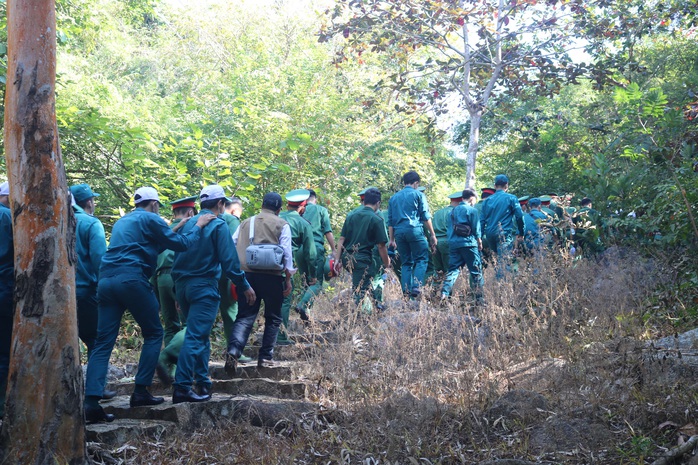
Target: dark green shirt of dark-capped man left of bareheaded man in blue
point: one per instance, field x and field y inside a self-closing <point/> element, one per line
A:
<point x="361" y="232"/>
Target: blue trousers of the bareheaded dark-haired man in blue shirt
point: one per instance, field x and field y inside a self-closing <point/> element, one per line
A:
<point x="414" y="253"/>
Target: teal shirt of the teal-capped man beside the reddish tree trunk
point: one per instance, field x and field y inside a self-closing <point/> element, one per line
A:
<point x="90" y="246"/>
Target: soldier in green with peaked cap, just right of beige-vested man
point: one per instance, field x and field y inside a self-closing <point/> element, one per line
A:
<point x="303" y="248"/>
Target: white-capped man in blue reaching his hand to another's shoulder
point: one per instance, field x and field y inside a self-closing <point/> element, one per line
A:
<point x="124" y="275"/>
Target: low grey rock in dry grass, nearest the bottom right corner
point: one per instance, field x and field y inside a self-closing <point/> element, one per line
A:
<point x="564" y="434"/>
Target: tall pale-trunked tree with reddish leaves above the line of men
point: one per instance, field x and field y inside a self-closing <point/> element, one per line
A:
<point x="475" y="49"/>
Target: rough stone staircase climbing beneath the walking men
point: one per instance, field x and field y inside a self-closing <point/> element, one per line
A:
<point x="267" y="397"/>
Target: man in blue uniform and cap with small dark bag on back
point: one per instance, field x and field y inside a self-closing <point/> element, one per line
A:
<point x="464" y="246"/>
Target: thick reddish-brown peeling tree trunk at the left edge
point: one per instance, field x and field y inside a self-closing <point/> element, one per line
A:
<point x="44" y="421"/>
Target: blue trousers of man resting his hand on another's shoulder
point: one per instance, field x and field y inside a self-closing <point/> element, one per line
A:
<point x="128" y="290"/>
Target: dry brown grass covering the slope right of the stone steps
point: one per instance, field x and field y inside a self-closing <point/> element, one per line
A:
<point x="409" y="386"/>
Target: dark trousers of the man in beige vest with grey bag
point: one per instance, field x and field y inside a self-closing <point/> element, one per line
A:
<point x="269" y="288"/>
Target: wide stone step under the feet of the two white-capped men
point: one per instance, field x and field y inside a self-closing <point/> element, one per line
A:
<point x="260" y="411"/>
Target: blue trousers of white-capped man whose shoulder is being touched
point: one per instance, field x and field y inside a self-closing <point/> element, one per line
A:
<point x="199" y="300"/>
